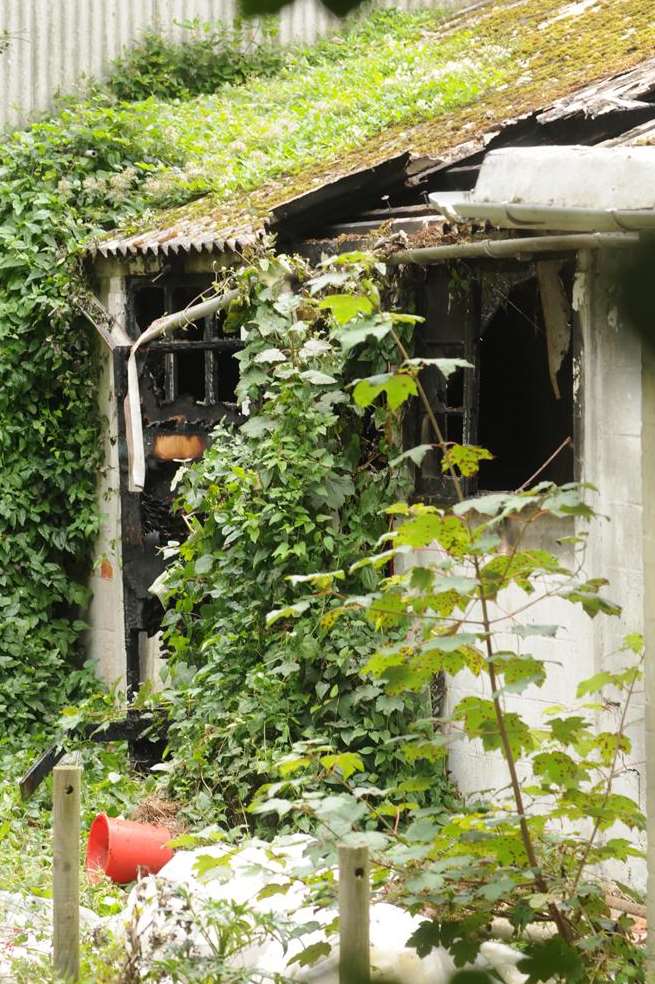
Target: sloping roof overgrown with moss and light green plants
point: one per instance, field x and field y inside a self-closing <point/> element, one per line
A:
<point x="420" y="83"/>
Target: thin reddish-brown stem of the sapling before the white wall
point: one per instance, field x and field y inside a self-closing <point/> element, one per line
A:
<point x="540" y="882"/>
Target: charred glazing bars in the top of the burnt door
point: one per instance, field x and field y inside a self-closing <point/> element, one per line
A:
<point x="211" y="344"/>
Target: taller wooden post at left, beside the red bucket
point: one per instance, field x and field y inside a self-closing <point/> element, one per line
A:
<point x="66" y="868"/>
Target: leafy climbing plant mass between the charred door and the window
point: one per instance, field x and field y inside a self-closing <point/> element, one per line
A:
<point x="299" y="488"/>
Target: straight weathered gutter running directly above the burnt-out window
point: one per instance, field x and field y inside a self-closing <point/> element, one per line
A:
<point x="499" y="248"/>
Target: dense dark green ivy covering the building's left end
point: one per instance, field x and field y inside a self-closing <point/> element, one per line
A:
<point x="59" y="181"/>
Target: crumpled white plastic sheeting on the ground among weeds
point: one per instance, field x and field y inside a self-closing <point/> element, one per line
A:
<point x="171" y="914"/>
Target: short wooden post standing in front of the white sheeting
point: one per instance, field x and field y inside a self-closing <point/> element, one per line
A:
<point x="354" y="957"/>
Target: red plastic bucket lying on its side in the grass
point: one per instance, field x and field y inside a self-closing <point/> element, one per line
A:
<point x="122" y="849"/>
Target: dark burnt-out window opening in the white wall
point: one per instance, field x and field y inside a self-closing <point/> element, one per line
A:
<point x="495" y="320"/>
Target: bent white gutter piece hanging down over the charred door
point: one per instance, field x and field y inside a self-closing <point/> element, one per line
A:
<point x="132" y="403"/>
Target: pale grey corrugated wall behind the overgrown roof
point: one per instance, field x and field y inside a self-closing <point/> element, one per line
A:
<point x="54" y="42"/>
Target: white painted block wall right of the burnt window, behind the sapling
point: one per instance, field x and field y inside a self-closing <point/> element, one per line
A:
<point x="611" y="392"/>
